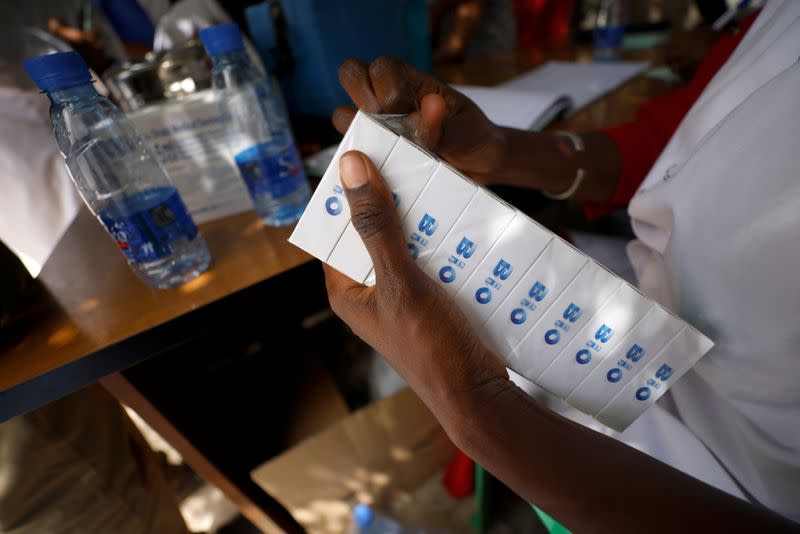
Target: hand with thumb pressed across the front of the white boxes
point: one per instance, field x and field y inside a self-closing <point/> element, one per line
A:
<point x="406" y="317"/>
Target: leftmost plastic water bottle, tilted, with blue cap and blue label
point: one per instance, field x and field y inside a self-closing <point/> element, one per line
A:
<point x="118" y="177"/>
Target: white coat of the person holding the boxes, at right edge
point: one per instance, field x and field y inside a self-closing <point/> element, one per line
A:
<point x="718" y="227"/>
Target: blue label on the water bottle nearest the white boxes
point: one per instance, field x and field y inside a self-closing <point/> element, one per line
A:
<point x="267" y="169"/>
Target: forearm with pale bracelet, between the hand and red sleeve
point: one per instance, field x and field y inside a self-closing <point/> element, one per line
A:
<point x="549" y="162"/>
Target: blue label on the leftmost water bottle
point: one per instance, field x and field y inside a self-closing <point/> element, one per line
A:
<point x="145" y="224"/>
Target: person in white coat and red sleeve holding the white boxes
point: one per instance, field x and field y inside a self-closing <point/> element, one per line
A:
<point x="713" y="200"/>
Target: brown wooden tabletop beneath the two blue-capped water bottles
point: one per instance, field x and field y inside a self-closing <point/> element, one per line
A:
<point x="99" y="303"/>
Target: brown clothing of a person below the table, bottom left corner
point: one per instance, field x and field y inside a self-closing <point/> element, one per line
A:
<point x="79" y="464"/>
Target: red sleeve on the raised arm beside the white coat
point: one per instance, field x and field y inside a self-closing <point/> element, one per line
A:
<point x="641" y="142"/>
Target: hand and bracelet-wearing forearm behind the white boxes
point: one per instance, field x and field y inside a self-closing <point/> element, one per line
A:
<point x="452" y="126"/>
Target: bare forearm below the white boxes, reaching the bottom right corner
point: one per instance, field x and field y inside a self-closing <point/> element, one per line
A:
<point x="588" y="481"/>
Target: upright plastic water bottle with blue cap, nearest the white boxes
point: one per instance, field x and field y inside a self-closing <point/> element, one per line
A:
<point x="264" y="148"/>
